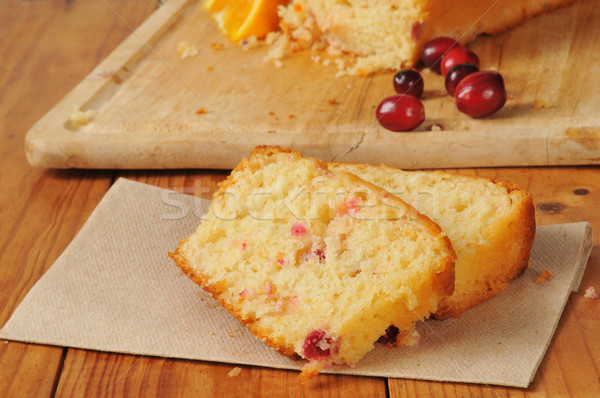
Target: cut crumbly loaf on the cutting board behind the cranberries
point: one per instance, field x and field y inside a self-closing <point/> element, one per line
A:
<point x="389" y="34"/>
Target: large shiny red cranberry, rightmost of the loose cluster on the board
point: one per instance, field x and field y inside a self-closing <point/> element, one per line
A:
<point x="480" y="94"/>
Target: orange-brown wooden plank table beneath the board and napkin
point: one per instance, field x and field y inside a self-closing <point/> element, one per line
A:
<point x="46" y="48"/>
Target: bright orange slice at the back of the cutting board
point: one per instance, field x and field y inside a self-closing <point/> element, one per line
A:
<point x="241" y="19"/>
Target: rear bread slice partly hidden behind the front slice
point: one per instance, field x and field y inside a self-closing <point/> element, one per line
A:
<point x="491" y="225"/>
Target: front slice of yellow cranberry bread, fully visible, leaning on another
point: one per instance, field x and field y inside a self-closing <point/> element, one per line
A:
<point x="315" y="264"/>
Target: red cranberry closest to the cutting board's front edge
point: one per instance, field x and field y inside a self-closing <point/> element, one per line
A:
<point x="400" y="112"/>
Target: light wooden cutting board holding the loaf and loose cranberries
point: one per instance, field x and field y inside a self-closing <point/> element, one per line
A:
<point x="148" y="103"/>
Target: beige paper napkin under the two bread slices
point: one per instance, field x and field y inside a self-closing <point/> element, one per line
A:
<point x="115" y="289"/>
